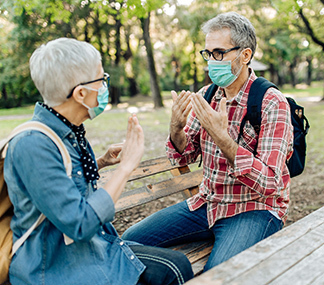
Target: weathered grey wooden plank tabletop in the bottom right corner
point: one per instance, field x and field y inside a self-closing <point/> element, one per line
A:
<point x="294" y="255"/>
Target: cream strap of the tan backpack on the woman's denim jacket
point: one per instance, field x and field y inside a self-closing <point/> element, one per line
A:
<point x="38" y="126"/>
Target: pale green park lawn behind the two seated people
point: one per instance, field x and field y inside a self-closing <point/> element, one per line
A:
<point x="110" y="127"/>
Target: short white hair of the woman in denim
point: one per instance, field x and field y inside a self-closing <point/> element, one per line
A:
<point x="60" y="65"/>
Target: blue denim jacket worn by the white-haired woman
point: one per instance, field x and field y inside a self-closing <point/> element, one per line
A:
<point x="37" y="183"/>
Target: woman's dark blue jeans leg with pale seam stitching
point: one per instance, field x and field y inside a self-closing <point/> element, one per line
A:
<point x="163" y="266"/>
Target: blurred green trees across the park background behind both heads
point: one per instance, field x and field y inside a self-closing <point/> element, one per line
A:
<point x="149" y="46"/>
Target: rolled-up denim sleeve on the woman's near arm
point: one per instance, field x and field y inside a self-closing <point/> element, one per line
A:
<point x="38" y="169"/>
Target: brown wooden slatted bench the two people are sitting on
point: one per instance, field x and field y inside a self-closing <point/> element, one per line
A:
<point x="180" y="180"/>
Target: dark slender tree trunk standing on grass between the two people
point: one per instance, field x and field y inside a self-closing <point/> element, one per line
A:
<point x="157" y="99"/>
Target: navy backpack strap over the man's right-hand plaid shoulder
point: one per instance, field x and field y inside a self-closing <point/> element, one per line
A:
<point x="257" y="90"/>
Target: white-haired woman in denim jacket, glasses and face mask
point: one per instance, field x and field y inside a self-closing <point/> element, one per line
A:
<point x="70" y="78"/>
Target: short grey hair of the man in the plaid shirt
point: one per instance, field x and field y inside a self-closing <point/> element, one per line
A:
<point x="242" y="31"/>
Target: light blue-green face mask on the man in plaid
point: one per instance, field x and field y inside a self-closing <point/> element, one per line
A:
<point x="220" y="72"/>
